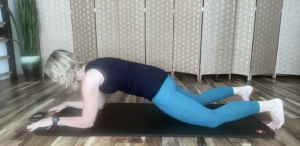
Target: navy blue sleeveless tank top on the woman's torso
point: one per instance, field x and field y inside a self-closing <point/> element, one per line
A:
<point x="129" y="77"/>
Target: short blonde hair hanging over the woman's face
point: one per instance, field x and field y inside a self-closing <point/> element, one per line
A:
<point x="62" y="66"/>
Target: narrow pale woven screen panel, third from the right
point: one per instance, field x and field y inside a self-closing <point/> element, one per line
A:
<point x="243" y="38"/>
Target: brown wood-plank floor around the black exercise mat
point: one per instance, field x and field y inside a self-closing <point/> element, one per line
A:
<point x="19" y="100"/>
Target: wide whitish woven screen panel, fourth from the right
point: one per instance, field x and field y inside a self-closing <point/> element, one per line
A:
<point x="218" y="36"/>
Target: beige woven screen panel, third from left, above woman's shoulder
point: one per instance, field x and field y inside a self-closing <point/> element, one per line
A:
<point x="107" y="28"/>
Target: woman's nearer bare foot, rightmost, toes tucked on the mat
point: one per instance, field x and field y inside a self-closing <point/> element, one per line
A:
<point x="277" y="115"/>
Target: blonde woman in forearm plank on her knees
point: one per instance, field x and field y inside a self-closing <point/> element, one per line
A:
<point x="108" y="75"/>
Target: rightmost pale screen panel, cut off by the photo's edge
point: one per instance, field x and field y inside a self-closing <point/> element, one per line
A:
<point x="288" y="56"/>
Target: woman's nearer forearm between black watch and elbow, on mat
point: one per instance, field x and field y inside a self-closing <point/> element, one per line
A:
<point x="76" y="122"/>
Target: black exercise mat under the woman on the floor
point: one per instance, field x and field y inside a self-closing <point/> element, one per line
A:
<point x="141" y="119"/>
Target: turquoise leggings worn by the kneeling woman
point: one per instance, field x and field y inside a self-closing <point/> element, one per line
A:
<point x="190" y="108"/>
